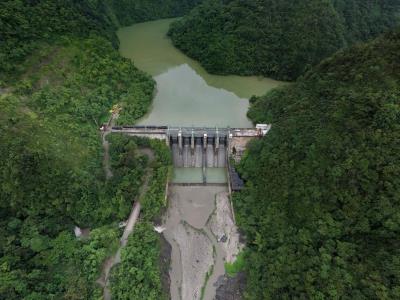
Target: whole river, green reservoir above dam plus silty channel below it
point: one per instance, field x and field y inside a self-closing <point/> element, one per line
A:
<point x="188" y="96"/>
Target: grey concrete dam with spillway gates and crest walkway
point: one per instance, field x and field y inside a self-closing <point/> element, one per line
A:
<point x="200" y="147"/>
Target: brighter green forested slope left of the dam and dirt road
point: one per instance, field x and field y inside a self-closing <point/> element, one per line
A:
<point x="50" y="168"/>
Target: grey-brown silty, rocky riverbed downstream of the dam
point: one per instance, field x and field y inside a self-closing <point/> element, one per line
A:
<point x="202" y="234"/>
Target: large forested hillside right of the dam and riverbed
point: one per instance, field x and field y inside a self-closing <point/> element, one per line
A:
<point x="321" y="205"/>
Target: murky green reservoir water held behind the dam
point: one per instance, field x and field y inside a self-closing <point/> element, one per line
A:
<point x="186" y="94"/>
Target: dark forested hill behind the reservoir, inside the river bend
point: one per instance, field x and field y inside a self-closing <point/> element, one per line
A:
<point x="279" y="39"/>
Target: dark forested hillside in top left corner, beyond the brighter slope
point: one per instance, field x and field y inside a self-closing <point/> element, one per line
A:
<point x="25" y="24"/>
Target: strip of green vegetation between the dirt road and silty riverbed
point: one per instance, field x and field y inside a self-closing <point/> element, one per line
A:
<point x="138" y="274"/>
